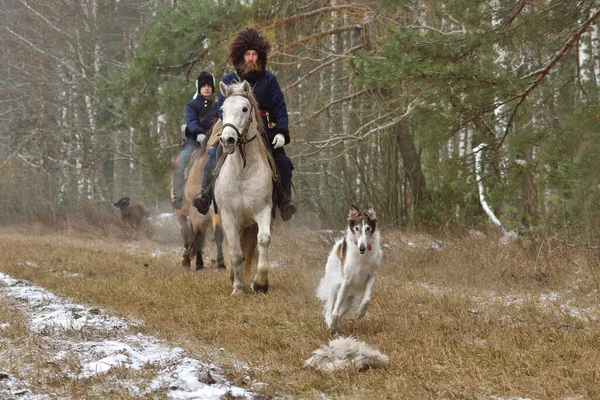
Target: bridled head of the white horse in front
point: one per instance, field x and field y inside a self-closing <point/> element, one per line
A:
<point x="238" y="109"/>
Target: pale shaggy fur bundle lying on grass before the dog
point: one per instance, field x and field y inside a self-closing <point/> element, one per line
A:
<point x="346" y="352"/>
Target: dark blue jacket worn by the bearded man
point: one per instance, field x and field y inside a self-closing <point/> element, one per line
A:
<point x="269" y="97"/>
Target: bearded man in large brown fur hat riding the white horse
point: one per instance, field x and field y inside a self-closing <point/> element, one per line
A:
<point x="248" y="54"/>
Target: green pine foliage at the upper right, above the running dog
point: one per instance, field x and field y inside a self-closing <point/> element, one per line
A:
<point x="468" y="80"/>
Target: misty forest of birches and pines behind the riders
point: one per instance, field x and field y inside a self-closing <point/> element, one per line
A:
<point x="387" y="100"/>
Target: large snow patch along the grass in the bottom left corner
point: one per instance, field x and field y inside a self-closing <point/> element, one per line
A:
<point x="174" y="372"/>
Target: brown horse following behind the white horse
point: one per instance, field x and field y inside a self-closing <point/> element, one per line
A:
<point x="192" y="224"/>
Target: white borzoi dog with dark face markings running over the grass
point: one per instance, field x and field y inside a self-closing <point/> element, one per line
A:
<point x="351" y="269"/>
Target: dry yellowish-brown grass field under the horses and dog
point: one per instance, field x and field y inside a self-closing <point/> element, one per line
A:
<point x="459" y="317"/>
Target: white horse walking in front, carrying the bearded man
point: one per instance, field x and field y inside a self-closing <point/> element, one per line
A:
<point x="244" y="186"/>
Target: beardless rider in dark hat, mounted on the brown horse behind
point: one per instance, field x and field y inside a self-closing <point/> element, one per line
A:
<point x="200" y="115"/>
